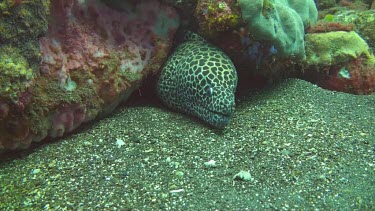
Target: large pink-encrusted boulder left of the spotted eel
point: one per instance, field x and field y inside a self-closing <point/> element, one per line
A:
<point x="93" y="57"/>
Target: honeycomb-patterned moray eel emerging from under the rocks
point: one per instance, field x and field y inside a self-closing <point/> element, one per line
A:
<point x="199" y="79"/>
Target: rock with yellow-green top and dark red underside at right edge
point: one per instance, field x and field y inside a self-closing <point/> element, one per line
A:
<point x="340" y="61"/>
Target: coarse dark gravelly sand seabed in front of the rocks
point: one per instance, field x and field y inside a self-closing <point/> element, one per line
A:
<point x="304" y="147"/>
